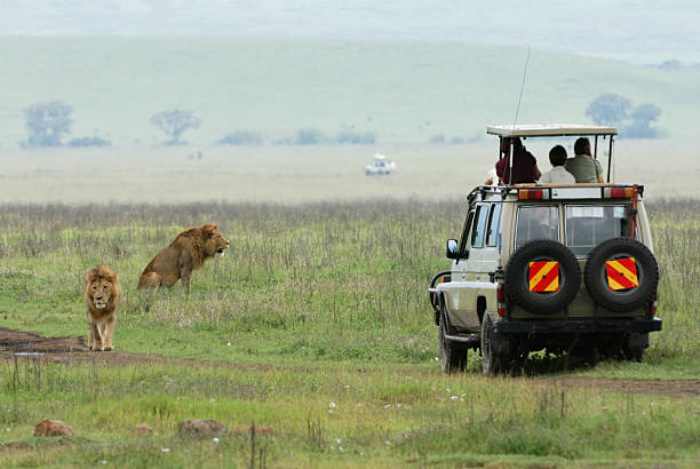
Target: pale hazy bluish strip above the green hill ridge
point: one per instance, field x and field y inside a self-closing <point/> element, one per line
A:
<point x="644" y="31"/>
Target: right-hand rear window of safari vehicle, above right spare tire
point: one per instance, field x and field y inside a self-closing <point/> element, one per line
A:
<point x="588" y="226"/>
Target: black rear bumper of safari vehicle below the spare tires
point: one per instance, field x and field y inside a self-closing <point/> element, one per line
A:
<point x="578" y="326"/>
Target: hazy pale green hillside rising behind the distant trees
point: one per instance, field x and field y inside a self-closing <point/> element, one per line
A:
<point x="405" y="92"/>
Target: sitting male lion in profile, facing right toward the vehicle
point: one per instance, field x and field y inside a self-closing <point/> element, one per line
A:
<point x="186" y="253"/>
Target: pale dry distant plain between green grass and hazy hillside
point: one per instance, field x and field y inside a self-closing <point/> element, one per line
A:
<point x="298" y="174"/>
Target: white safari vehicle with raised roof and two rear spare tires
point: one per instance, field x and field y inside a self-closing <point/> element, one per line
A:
<point x="568" y="269"/>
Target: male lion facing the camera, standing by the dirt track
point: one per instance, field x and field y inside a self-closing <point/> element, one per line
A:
<point x="102" y="295"/>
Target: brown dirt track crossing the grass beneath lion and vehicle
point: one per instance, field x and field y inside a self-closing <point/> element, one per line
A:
<point x="69" y="350"/>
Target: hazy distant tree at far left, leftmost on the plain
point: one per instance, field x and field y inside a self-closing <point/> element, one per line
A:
<point x="47" y="123"/>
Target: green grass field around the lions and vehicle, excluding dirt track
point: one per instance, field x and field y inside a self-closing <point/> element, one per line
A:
<point x="317" y="325"/>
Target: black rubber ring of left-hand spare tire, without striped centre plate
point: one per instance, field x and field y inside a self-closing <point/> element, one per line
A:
<point x="517" y="281"/>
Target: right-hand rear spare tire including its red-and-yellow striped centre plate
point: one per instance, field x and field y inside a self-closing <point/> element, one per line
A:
<point x="622" y="275"/>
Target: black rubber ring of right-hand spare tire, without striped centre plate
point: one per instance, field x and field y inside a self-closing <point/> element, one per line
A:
<point x="623" y="301"/>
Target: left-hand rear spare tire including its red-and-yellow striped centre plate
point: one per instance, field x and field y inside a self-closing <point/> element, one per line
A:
<point x="542" y="277"/>
